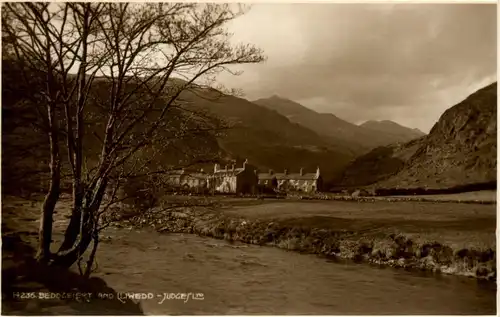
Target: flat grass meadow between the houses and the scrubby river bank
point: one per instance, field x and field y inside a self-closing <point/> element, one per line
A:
<point x="456" y="225"/>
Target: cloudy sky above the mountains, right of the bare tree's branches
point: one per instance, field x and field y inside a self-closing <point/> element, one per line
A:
<point x="402" y="62"/>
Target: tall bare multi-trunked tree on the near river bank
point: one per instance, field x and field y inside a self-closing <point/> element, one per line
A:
<point x="127" y="64"/>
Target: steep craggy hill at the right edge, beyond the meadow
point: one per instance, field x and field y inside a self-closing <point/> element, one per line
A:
<point x="459" y="150"/>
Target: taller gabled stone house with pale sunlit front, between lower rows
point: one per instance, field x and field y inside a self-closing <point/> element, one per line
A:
<point x="242" y="180"/>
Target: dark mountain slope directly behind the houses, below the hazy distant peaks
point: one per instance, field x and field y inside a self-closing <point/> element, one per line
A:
<point x="268" y="139"/>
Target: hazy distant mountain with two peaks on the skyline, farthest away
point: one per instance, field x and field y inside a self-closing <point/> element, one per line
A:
<point x="358" y="139"/>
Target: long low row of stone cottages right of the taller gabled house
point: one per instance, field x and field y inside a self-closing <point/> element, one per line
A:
<point x="299" y="182"/>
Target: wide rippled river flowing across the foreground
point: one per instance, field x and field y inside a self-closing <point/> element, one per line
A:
<point x="247" y="279"/>
